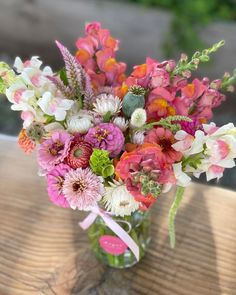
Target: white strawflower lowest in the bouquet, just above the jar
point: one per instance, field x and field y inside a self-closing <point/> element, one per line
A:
<point x="118" y="200"/>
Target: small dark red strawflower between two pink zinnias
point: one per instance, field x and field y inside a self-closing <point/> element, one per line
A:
<point x="79" y="154"/>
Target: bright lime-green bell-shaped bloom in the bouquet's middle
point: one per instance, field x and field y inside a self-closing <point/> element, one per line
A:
<point x="101" y="164"/>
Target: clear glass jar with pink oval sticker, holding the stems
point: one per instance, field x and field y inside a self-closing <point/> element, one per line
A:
<point x="109" y="249"/>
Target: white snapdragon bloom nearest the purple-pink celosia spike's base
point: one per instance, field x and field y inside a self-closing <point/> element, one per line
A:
<point x="54" y="106"/>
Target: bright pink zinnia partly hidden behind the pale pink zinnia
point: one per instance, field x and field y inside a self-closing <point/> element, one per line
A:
<point x="55" y="180"/>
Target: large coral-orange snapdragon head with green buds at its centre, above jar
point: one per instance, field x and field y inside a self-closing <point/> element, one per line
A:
<point x="145" y="171"/>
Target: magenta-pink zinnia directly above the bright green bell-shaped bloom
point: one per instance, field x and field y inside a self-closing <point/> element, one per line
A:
<point x="106" y="136"/>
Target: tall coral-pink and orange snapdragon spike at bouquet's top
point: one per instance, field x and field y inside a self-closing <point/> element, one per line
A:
<point x="96" y="52"/>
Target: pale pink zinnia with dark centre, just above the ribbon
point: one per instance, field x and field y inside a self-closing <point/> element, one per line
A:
<point x="82" y="188"/>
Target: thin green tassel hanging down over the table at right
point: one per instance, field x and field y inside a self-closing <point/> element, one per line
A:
<point x="172" y="213"/>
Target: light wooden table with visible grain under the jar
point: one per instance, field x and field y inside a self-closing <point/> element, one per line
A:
<point x="43" y="251"/>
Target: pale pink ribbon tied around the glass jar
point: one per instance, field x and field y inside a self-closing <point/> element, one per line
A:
<point x="113" y="225"/>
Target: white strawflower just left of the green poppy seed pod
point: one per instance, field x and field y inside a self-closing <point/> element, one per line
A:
<point x="107" y="103"/>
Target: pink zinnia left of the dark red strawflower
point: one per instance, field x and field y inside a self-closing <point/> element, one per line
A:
<point x="54" y="150"/>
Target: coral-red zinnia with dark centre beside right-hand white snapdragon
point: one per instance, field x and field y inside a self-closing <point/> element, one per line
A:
<point x="164" y="138"/>
